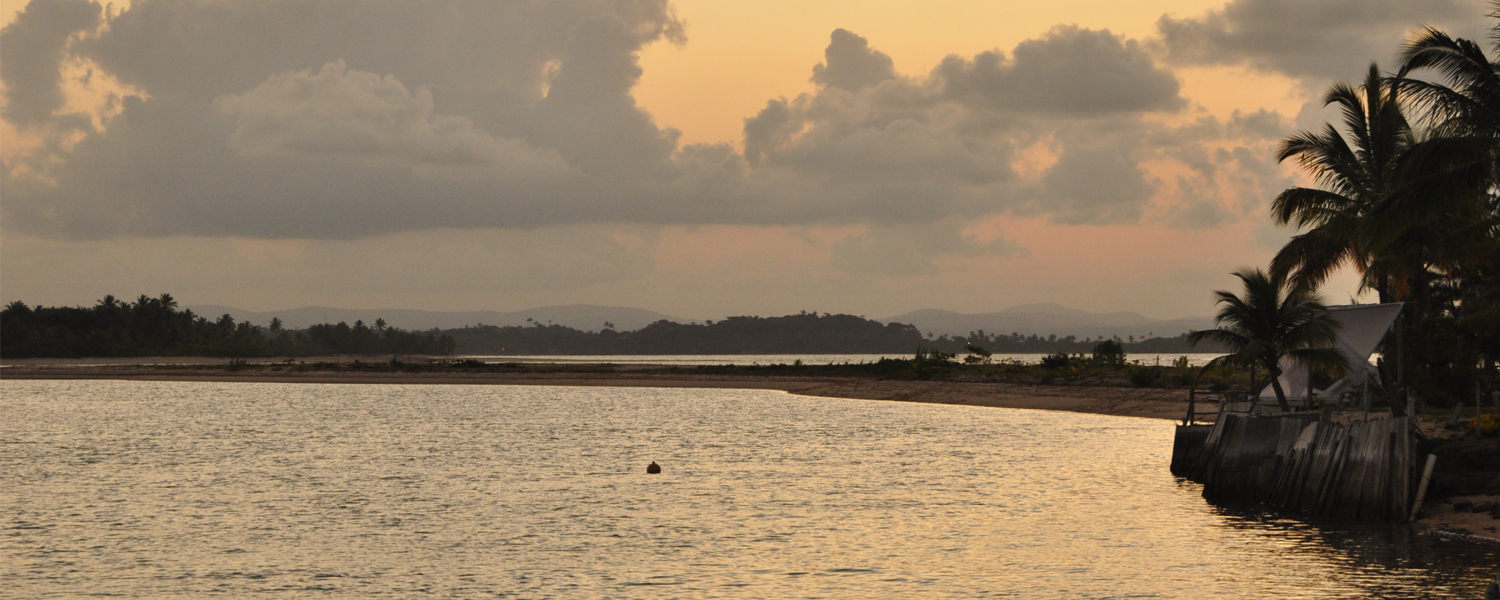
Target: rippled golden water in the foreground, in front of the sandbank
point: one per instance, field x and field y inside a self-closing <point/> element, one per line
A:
<point x="187" y="490"/>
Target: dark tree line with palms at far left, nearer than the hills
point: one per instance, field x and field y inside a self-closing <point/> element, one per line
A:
<point x="157" y="328"/>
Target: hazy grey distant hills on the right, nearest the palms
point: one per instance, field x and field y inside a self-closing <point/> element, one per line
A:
<point x="1049" y="319"/>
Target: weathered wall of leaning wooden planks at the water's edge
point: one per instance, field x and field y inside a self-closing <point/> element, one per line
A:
<point x="1303" y="463"/>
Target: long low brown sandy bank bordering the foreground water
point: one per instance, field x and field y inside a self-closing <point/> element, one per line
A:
<point x="1115" y="401"/>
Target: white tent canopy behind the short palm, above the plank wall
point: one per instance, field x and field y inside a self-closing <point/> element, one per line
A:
<point x="1363" y="329"/>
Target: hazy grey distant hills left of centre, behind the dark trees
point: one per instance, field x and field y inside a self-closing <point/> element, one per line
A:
<point x="581" y="317"/>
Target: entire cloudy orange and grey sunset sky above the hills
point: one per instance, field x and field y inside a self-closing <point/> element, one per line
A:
<point x="694" y="158"/>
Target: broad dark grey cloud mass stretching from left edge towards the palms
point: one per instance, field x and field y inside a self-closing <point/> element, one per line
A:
<point x="334" y="119"/>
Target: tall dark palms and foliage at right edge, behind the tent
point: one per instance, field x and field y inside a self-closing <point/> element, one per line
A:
<point x="1408" y="194"/>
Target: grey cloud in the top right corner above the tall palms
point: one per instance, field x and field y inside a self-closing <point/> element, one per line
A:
<point x="1310" y="40"/>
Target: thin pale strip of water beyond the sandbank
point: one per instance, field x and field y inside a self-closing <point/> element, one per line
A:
<point x="1195" y="359"/>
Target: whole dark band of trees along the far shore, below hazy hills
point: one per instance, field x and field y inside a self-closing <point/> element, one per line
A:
<point x="157" y="328"/>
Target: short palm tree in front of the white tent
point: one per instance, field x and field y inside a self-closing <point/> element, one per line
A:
<point x="1274" y="320"/>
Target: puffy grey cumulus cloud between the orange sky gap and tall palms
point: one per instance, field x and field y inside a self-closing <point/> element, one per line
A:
<point x="949" y="145"/>
